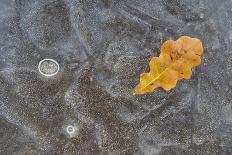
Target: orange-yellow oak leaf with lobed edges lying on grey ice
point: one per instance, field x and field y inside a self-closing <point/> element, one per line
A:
<point x="176" y="60"/>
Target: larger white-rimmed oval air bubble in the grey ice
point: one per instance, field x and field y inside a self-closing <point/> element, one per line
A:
<point x="48" y="67"/>
